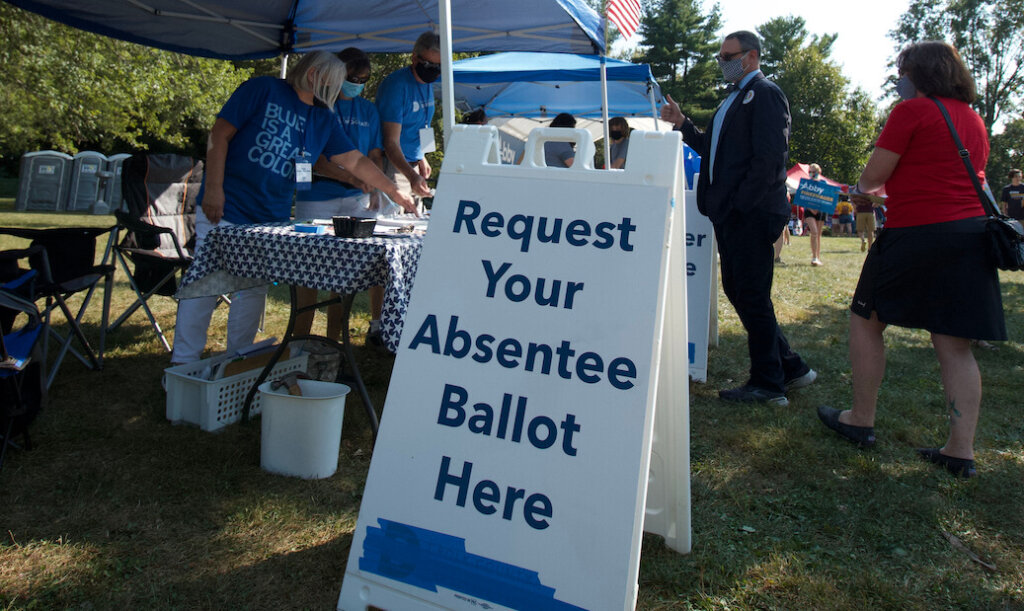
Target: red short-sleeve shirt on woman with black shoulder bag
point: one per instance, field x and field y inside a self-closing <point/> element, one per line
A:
<point x="930" y="184"/>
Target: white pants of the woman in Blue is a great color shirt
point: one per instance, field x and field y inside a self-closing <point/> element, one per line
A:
<point x="194" y="315"/>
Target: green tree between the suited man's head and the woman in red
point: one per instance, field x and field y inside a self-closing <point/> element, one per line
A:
<point x="832" y="126"/>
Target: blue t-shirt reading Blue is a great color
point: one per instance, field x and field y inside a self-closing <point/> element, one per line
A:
<point x="274" y="128"/>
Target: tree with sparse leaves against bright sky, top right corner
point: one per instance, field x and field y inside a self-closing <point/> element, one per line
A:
<point x="990" y="36"/>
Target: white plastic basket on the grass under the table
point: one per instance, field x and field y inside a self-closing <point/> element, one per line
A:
<point x="216" y="404"/>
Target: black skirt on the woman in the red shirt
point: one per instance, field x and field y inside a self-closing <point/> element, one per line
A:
<point x="940" y="278"/>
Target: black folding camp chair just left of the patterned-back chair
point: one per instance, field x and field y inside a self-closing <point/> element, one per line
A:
<point x="66" y="267"/>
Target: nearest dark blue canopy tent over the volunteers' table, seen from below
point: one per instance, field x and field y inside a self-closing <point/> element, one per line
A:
<point x="247" y="30"/>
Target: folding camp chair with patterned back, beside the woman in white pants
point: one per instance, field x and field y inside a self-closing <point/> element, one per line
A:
<point x="158" y="219"/>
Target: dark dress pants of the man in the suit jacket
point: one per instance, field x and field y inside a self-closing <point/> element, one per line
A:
<point x="746" y="246"/>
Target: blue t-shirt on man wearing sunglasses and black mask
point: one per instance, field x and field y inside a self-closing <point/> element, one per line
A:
<point x="403" y="100"/>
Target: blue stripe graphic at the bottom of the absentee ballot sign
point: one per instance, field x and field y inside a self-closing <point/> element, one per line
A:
<point x="428" y="559"/>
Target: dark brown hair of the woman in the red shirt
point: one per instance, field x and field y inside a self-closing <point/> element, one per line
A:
<point x="936" y="69"/>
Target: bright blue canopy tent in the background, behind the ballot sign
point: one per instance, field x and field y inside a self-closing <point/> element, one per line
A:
<point x="542" y="85"/>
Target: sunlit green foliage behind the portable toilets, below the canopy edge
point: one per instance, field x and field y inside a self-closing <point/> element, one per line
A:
<point x="68" y="91"/>
